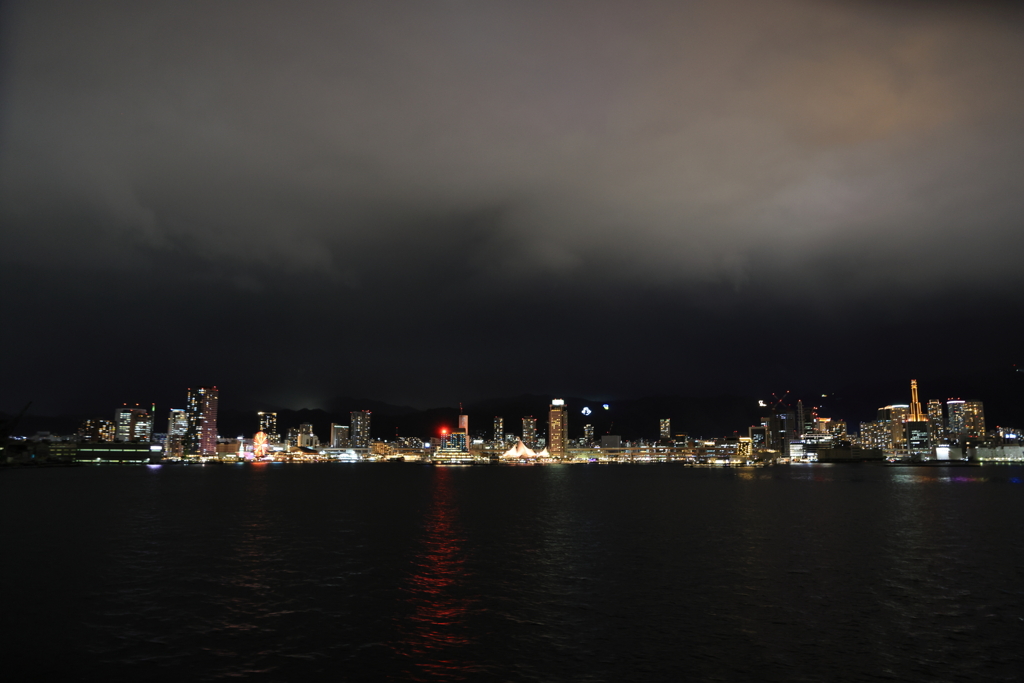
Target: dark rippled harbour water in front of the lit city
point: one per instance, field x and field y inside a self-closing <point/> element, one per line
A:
<point x="649" y="573"/>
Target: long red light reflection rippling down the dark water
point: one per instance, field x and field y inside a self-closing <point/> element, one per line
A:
<point x="438" y="637"/>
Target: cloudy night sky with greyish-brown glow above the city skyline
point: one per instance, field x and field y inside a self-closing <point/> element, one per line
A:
<point x="433" y="202"/>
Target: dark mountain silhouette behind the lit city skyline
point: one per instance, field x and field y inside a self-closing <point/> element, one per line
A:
<point x="1001" y="389"/>
